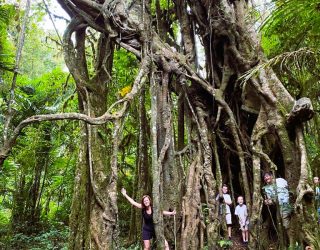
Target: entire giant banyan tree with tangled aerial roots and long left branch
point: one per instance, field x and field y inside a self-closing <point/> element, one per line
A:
<point x="202" y="127"/>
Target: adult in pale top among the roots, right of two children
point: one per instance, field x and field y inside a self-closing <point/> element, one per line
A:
<point x="276" y="191"/>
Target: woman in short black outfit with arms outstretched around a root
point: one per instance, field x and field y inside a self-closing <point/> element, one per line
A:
<point x="148" y="231"/>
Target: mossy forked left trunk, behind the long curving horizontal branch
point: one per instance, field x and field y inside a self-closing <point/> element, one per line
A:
<point x="93" y="220"/>
